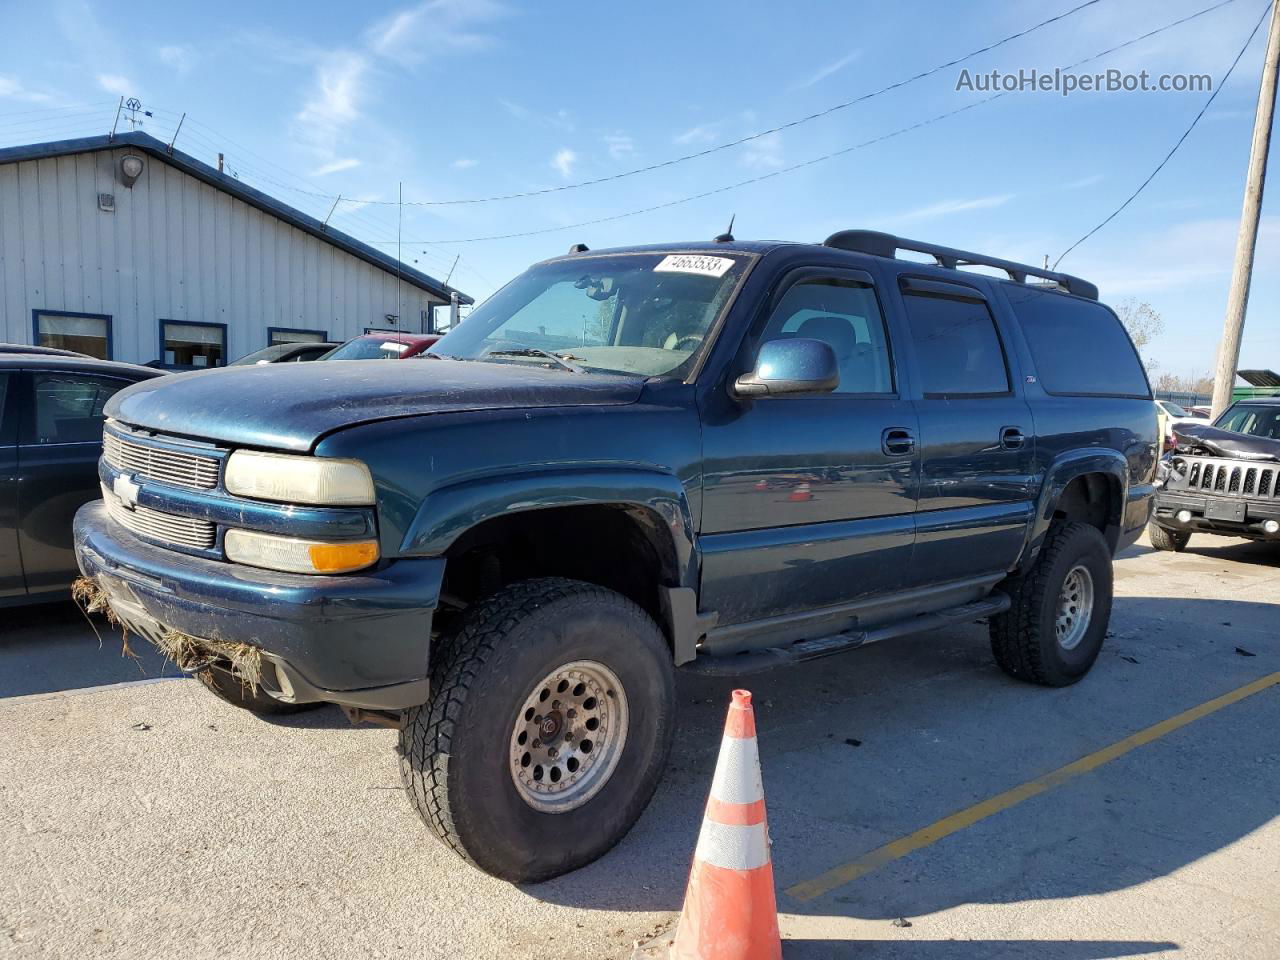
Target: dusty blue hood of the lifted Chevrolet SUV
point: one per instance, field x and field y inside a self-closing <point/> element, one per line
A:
<point x="291" y="406"/>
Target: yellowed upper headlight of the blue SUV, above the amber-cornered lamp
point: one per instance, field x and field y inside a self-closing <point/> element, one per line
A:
<point x="289" y="479"/>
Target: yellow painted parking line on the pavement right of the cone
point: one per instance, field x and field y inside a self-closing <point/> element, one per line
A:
<point x="921" y="839"/>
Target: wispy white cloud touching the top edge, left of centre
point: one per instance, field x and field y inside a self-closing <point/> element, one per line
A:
<point x="409" y="35"/>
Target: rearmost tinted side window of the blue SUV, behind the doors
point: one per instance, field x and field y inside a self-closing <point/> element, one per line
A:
<point x="1080" y="348"/>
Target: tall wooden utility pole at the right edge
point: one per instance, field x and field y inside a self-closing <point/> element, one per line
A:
<point x="1238" y="300"/>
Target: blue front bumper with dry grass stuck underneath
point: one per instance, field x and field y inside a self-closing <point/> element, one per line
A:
<point x="360" y="641"/>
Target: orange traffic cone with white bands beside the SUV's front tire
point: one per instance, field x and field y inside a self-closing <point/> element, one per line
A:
<point x="730" y="909"/>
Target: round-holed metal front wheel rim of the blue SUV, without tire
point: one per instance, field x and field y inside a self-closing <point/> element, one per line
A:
<point x="569" y="737"/>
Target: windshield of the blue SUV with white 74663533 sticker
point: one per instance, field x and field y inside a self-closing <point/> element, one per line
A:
<point x="641" y="314"/>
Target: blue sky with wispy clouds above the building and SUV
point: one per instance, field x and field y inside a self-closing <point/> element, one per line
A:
<point x="461" y="99"/>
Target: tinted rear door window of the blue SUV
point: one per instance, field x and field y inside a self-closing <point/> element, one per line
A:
<point x="957" y="346"/>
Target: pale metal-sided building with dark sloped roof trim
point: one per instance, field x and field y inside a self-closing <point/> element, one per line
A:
<point x="125" y="250"/>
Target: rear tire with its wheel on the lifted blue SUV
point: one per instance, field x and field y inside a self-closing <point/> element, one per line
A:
<point x="1054" y="630"/>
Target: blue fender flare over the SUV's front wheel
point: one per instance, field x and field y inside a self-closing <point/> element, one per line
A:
<point x="449" y="513"/>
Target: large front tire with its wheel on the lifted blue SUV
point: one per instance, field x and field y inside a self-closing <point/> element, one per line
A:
<point x="548" y="728"/>
